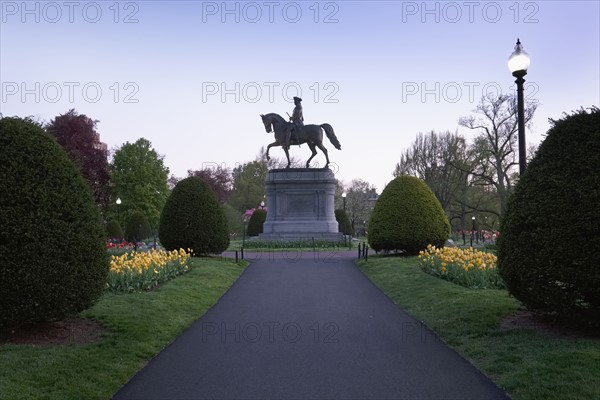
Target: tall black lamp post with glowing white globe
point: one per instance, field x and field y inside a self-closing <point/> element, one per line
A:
<point x="518" y="62"/>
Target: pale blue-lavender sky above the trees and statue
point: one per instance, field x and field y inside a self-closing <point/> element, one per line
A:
<point x="192" y="76"/>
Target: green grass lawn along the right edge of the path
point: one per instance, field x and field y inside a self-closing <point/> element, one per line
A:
<point x="526" y="364"/>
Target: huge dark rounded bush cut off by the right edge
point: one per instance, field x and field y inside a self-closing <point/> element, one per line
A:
<point x="549" y="244"/>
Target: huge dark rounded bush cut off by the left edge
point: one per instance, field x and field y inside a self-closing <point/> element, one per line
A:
<point x="53" y="259"/>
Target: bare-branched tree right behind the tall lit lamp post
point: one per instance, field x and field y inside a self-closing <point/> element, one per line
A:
<point x="493" y="151"/>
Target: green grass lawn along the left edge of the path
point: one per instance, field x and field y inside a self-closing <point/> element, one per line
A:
<point x="139" y="324"/>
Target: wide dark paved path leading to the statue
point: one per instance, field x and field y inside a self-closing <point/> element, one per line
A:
<point x="307" y="325"/>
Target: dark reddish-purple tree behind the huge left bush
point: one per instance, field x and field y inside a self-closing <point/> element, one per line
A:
<point x="77" y="135"/>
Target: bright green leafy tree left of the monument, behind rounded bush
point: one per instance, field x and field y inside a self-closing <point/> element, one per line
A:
<point x="139" y="179"/>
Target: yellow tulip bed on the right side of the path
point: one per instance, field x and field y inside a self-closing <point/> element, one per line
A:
<point x="466" y="267"/>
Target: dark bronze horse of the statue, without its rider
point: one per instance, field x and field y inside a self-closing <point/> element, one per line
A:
<point x="312" y="135"/>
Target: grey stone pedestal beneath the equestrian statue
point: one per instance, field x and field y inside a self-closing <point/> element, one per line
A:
<point x="300" y="205"/>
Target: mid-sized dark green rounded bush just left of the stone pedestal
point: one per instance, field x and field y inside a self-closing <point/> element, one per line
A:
<point x="193" y="218"/>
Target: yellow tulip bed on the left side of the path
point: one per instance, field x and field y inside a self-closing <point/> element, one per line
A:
<point x="135" y="271"/>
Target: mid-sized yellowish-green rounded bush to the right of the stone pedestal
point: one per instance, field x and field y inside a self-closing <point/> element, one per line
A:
<point x="407" y="217"/>
